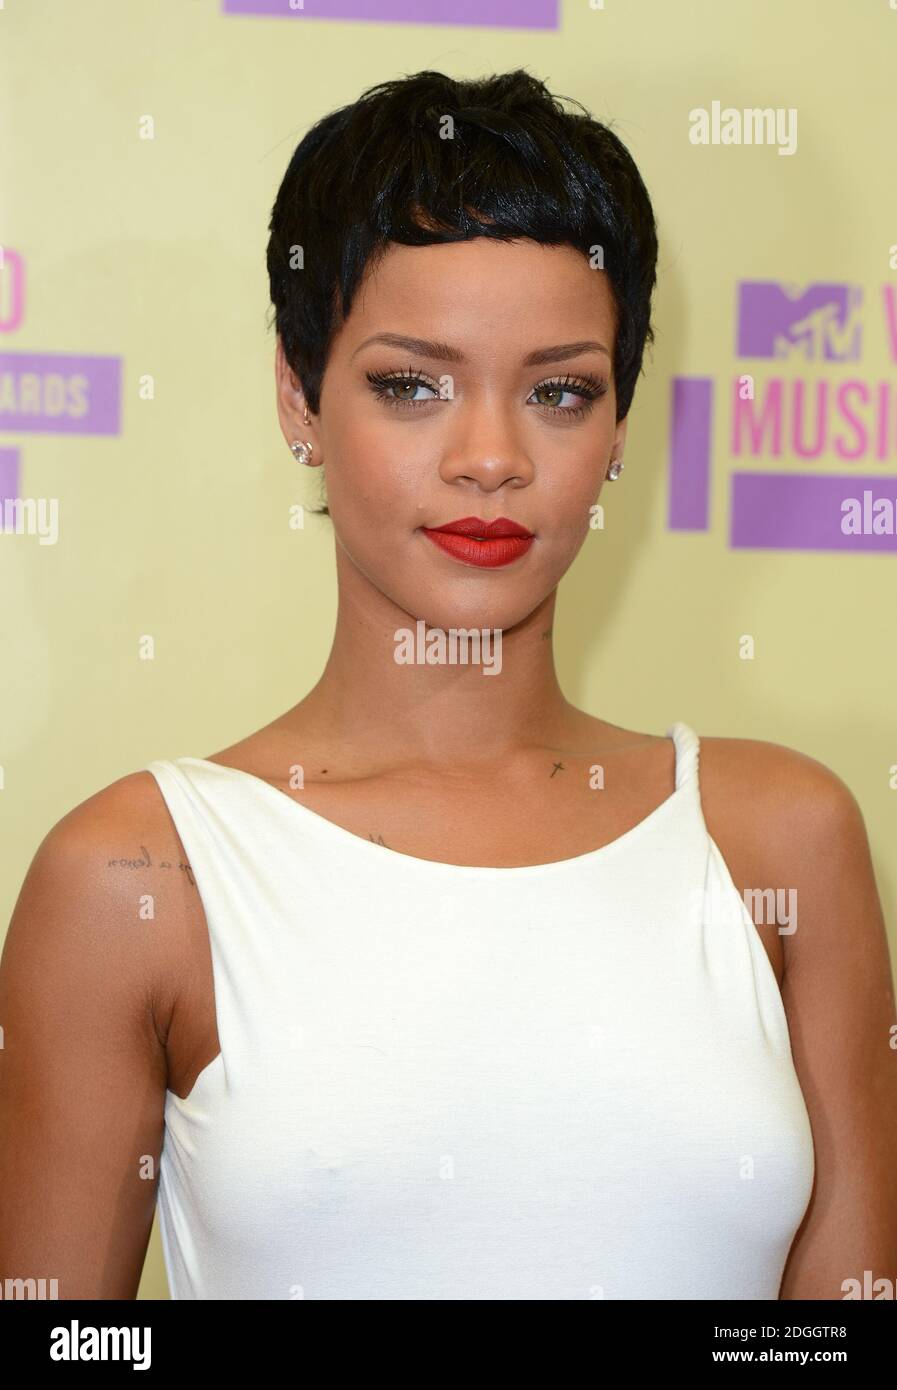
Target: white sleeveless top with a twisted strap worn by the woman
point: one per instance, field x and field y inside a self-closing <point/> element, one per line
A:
<point x="439" y="1082"/>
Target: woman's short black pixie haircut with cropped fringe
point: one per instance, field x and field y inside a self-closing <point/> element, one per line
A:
<point x="511" y="163"/>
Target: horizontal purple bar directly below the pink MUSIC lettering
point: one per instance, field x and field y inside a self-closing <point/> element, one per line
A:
<point x="813" y="512"/>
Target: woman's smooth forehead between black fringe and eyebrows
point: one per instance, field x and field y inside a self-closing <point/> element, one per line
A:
<point x="482" y="291"/>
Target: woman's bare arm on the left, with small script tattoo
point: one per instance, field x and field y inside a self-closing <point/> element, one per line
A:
<point x="83" y="1070"/>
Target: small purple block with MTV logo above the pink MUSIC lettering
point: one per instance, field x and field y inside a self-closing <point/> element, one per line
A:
<point x="820" y="323"/>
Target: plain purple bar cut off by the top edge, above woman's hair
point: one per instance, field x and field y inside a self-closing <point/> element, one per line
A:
<point x="507" y="15"/>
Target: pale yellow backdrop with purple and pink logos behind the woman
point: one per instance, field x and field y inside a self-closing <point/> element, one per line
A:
<point x="745" y="579"/>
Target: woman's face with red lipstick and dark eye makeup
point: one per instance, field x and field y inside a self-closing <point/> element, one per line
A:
<point x="461" y="425"/>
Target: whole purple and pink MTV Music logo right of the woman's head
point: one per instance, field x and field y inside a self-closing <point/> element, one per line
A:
<point x="816" y="415"/>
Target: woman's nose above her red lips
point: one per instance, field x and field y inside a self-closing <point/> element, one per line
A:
<point x="486" y="448"/>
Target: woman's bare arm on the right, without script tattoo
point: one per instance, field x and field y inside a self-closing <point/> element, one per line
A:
<point x="841" y="1004"/>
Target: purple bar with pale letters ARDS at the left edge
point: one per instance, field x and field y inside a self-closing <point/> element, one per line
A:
<point x="60" y="394"/>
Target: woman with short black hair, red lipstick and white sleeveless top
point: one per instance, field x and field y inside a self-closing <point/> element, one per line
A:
<point x="439" y="988"/>
